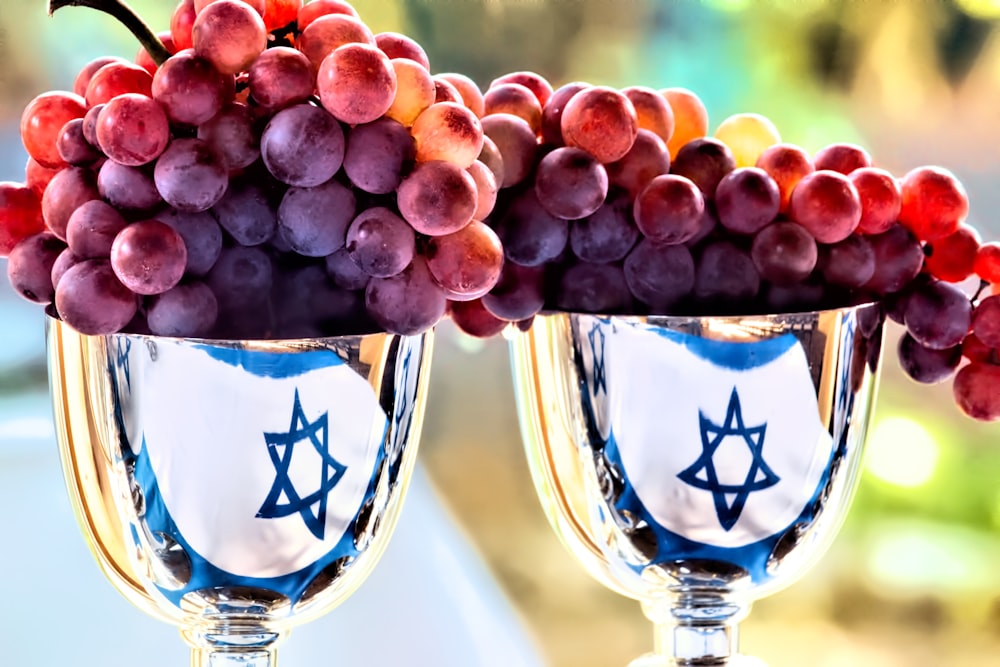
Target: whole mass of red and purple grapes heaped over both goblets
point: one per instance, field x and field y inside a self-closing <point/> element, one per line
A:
<point x="288" y="172"/>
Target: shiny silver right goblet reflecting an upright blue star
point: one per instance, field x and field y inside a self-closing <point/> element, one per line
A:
<point x="697" y="464"/>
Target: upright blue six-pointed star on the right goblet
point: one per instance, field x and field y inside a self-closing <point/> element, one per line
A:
<point x="729" y="499"/>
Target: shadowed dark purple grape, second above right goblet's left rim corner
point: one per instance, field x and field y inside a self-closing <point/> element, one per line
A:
<point x="531" y="236"/>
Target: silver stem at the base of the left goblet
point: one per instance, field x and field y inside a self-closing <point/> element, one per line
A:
<point x="227" y="644"/>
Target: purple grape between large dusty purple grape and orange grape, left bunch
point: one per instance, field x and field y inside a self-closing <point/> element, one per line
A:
<point x="377" y="154"/>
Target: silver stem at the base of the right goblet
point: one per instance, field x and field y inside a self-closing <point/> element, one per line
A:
<point x="694" y="628"/>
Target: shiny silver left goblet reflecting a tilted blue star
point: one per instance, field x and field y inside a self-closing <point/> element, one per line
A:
<point x="237" y="488"/>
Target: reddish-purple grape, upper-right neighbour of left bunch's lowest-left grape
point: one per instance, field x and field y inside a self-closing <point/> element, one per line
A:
<point x="149" y="257"/>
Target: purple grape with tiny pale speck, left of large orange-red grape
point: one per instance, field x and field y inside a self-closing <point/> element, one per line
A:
<point x="380" y="242"/>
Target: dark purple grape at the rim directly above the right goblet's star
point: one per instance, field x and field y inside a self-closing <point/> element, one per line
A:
<point x="725" y="276"/>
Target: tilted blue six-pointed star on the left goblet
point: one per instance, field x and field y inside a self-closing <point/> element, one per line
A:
<point x="281" y="447"/>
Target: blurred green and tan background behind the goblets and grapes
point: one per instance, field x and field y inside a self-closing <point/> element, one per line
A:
<point x="913" y="580"/>
